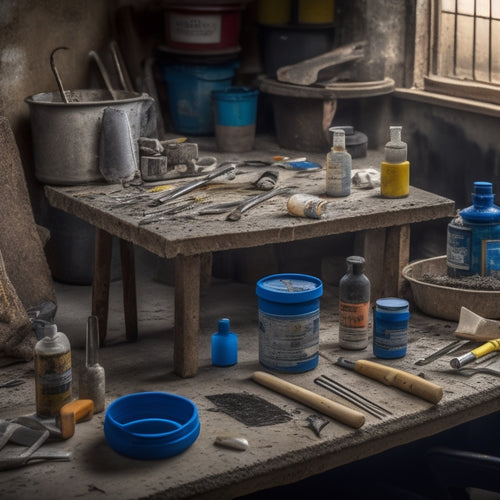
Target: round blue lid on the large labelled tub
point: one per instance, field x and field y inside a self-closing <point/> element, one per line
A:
<point x="289" y="288"/>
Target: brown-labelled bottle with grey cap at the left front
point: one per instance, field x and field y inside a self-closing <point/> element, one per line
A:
<point x="53" y="375"/>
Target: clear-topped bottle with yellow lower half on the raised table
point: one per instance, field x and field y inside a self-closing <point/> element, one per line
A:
<point x="395" y="170"/>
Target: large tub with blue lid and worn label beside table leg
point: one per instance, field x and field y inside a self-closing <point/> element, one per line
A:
<point x="289" y="321"/>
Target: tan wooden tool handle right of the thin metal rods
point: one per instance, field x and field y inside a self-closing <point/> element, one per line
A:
<point x="402" y="380"/>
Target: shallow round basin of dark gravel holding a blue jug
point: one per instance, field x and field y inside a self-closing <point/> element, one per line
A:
<point x="440" y="296"/>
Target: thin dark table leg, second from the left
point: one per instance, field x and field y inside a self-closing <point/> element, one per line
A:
<point x="129" y="289"/>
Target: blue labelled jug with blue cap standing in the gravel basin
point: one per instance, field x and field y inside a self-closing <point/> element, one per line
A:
<point x="473" y="237"/>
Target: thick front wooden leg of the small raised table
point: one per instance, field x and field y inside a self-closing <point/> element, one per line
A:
<point x="187" y="314"/>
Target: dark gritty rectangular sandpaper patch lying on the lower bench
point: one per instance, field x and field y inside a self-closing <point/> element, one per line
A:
<point x="249" y="409"/>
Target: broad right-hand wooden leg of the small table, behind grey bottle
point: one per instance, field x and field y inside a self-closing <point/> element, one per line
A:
<point x="387" y="251"/>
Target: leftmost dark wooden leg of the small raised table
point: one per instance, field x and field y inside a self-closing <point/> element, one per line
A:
<point x="101" y="279"/>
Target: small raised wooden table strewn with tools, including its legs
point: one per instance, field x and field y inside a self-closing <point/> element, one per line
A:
<point x="382" y="227"/>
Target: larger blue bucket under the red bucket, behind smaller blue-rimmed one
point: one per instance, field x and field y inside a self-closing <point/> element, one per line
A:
<point x="189" y="89"/>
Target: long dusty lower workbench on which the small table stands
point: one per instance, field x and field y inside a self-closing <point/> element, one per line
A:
<point x="278" y="453"/>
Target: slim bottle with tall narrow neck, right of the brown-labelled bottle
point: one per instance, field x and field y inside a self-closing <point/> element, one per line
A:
<point x="92" y="377"/>
